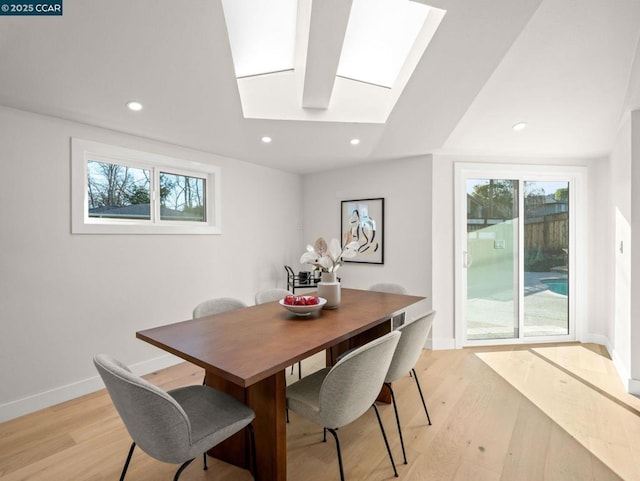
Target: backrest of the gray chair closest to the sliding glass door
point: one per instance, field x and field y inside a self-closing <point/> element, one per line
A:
<point x="414" y="336"/>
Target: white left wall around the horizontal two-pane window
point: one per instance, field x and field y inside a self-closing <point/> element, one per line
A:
<point x="64" y="297"/>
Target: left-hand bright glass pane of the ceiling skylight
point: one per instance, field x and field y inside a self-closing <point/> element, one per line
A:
<point x="262" y="35"/>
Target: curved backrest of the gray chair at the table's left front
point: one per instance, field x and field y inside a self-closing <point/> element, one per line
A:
<point x="155" y="421"/>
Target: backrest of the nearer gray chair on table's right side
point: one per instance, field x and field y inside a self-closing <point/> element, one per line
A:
<point x="353" y="384"/>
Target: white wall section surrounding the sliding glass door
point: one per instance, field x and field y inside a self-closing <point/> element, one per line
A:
<point x="594" y="328"/>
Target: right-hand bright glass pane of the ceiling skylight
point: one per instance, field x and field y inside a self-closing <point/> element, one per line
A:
<point x="379" y="37"/>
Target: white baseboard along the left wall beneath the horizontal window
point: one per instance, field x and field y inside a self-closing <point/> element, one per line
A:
<point x="36" y="402"/>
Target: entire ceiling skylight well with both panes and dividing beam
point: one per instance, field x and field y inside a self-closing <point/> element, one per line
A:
<point x="330" y="61"/>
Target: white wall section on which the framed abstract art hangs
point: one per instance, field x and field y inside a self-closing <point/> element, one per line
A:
<point x="406" y="187"/>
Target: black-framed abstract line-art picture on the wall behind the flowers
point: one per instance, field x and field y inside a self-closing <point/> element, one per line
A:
<point x="364" y="219"/>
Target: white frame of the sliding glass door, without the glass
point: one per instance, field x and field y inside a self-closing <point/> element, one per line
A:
<point x="578" y="201"/>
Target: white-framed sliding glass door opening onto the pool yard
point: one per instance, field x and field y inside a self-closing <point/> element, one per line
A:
<point x="513" y="273"/>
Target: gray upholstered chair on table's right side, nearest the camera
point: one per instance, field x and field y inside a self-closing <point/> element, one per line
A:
<point x="336" y="396"/>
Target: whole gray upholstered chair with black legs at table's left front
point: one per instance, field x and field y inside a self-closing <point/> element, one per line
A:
<point x="172" y="426"/>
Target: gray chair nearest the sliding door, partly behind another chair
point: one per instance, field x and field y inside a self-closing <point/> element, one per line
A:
<point x="412" y="341"/>
